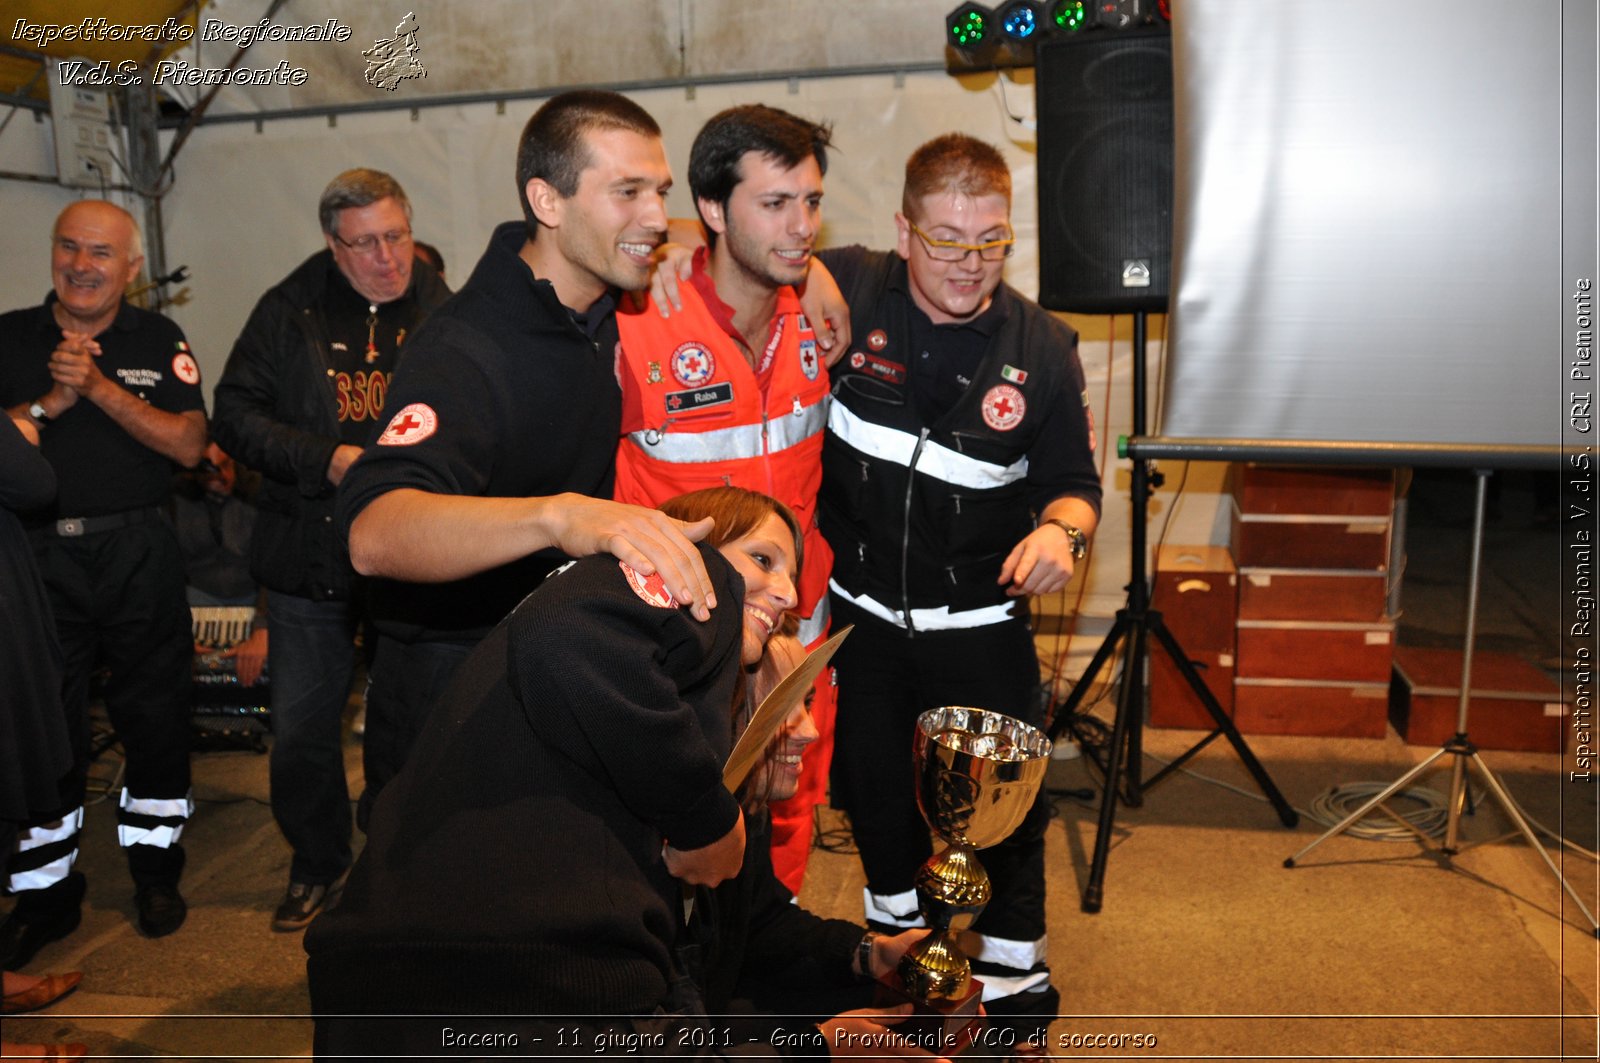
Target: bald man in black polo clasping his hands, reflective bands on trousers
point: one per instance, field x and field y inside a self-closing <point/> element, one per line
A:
<point x="116" y="396"/>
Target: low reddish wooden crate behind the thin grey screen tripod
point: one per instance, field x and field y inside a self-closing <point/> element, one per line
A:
<point x="1513" y="707"/>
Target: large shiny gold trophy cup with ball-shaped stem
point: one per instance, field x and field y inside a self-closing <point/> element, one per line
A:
<point x="977" y="777"/>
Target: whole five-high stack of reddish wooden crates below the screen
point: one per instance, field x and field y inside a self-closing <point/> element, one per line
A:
<point x="1314" y="644"/>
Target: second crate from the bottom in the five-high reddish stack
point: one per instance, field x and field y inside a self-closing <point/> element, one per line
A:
<point x="1318" y="651"/>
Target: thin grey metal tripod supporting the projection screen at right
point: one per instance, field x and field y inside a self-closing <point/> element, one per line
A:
<point x="1460" y="747"/>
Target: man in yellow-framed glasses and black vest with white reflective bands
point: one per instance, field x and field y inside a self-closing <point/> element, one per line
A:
<point x="958" y="479"/>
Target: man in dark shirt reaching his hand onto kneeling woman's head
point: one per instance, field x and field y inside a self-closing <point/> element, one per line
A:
<point x="503" y="422"/>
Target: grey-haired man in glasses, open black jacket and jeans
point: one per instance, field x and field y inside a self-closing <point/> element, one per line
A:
<point x="303" y="391"/>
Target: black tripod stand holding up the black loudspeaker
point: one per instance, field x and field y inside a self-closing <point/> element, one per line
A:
<point x="1137" y="624"/>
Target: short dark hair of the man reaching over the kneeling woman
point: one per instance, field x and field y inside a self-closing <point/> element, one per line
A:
<point x="553" y="143"/>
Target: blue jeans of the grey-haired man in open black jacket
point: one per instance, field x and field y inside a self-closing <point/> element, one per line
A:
<point x="313" y="659"/>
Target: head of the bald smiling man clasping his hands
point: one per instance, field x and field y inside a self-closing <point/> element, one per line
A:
<point x="95" y="255"/>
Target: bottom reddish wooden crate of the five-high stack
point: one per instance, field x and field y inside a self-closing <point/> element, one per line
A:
<point x="1303" y="707"/>
